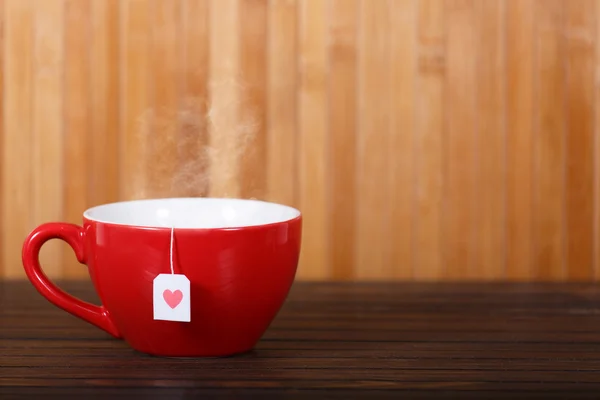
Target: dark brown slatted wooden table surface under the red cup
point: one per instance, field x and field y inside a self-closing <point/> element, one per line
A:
<point x="330" y="341"/>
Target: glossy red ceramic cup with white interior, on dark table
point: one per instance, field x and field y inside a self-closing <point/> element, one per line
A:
<point x="240" y="257"/>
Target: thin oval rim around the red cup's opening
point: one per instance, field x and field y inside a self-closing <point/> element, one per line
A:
<point x="297" y="214"/>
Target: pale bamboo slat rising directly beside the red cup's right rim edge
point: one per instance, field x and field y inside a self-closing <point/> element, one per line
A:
<point x="313" y="137"/>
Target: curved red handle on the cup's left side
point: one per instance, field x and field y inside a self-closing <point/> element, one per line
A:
<point x="74" y="235"/>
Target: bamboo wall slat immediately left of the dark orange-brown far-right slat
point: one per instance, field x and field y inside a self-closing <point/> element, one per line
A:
<point x="550" y="138"/>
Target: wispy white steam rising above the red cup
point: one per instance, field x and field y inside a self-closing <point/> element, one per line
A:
<point x="195" y="148"/>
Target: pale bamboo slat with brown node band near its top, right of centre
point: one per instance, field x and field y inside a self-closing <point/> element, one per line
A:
<point x="429" y="147"/>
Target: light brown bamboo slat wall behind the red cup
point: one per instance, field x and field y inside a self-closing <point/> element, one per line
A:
<point x="422" y="139"/>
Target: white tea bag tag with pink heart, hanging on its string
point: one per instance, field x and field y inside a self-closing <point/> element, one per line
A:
<point x="171" y="295"/>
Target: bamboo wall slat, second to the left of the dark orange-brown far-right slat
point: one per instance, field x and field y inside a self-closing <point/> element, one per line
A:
<point x="520" y="132"/>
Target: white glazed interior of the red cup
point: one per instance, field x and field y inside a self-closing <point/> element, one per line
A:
<point x="192" y="213"/>
